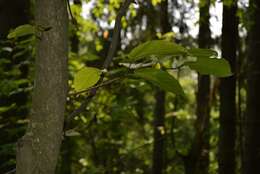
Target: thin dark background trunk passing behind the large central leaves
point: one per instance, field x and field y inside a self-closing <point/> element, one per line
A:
<point x="159" y="117"/>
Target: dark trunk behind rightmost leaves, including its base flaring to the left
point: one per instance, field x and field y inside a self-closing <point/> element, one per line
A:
<point x="197" y="162"/>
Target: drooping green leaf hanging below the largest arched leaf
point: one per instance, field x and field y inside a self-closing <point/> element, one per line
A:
<point x="160" y="78"/>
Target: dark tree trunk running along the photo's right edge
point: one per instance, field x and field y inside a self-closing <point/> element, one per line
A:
<point x="252" y="119"/>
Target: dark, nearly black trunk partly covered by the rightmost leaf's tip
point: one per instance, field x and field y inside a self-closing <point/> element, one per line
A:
<point x="227" y="130"/>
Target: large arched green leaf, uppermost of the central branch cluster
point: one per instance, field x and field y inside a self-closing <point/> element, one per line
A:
<point x="157" y="48"/>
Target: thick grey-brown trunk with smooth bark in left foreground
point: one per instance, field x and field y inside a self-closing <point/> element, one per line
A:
<point x="38" y="150"/>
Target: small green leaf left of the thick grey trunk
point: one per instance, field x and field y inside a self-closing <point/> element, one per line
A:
<point x="22" y="30"/>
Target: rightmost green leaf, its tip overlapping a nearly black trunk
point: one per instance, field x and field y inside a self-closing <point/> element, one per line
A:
<point x="211" y="66"/>
